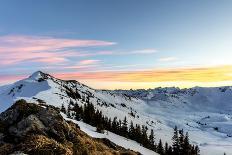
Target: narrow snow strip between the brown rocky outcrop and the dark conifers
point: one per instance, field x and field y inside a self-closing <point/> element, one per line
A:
<point x="119" y="140"/>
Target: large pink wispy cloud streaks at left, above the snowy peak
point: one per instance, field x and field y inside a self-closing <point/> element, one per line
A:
<point x="18" y="48"/>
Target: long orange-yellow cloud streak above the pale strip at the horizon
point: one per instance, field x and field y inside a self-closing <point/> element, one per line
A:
<point x="204" y="74"/>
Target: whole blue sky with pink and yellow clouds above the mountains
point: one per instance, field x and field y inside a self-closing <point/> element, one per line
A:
<point x="121" y="44"/>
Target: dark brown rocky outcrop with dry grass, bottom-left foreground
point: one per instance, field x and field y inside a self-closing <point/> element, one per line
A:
<point x="27" y="128"/>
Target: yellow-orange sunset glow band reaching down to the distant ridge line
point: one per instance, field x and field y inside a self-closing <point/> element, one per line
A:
<point x="180" y="77"/>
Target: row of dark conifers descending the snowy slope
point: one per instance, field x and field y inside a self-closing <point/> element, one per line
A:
<point x="88" y="114"/>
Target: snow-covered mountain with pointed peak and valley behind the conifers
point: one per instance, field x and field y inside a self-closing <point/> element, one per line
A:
<point x="206" y="113"/>
